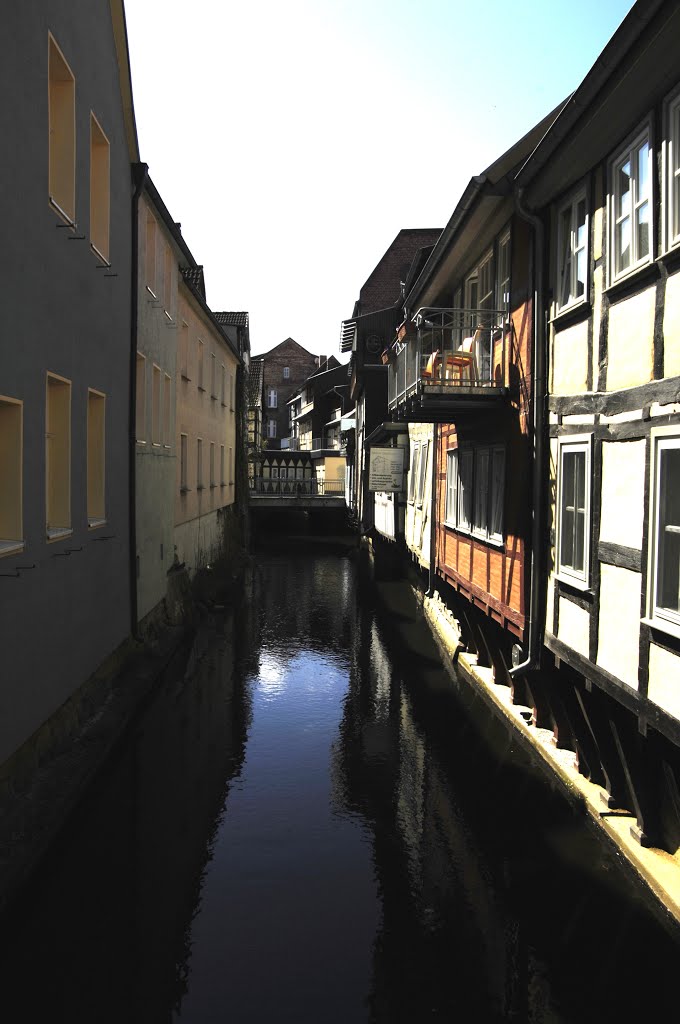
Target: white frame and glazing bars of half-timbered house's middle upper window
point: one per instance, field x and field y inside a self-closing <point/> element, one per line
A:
<point x="629" y="152"/>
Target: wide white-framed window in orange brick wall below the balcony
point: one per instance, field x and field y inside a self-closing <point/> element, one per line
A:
<point x="476" y="491"/>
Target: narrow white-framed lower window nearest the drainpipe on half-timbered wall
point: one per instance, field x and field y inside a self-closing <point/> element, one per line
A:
<point x="574" y="509"/>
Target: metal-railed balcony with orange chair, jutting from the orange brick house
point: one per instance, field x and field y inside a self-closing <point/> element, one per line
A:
<point x="454" y="361"/>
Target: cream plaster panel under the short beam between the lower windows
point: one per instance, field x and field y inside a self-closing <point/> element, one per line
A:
<point x="619" y="627"/>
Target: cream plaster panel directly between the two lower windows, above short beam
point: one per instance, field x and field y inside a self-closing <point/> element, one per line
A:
<point x="623" y="493"/>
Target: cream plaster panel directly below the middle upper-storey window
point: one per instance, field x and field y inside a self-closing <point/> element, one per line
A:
<point x="630" y="354"/>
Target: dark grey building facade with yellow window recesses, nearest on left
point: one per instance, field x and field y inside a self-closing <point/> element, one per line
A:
<point x="65" y="355"/>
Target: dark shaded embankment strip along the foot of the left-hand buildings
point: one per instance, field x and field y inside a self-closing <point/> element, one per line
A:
<point x="47" y="780"/>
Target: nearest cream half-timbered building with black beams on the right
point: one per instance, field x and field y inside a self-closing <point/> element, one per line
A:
<point x="606" y="186"/>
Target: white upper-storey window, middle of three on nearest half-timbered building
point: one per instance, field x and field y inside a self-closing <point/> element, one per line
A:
<point x="630" y="216"/>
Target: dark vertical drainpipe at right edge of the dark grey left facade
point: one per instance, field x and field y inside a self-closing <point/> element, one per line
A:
<point x="140" y="176"/>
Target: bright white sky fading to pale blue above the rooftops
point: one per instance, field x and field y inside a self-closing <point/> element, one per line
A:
<point x="294" y="140"/>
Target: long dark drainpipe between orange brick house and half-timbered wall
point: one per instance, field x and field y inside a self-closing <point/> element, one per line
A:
<point x="536" y="611"/>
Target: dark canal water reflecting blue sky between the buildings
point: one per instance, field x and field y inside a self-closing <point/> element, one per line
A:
<point x="310" y="824"/>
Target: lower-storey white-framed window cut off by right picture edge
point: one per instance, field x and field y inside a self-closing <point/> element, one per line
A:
<point x="665" y="547"/>
